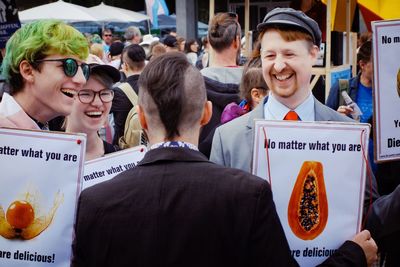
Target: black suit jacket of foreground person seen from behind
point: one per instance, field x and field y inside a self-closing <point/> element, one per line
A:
<point x="178" y="209"/>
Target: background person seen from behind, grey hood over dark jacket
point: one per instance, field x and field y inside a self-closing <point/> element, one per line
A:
<point x="222" y="76"/>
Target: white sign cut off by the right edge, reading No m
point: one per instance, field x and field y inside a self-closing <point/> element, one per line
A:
<point x="386" y="51"/>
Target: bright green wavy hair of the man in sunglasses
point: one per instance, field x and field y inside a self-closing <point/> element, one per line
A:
<point x="37" y="40"/>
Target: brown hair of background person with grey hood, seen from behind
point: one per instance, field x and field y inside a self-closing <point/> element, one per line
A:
<point x="222" y="31"/>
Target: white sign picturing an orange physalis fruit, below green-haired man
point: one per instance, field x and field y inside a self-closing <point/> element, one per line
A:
<point x="40" y="183"/>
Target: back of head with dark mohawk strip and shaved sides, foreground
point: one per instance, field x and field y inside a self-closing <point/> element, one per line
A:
<point x="172" y="93"/>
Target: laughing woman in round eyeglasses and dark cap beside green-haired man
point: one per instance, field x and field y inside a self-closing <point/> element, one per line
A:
<point x="91" y="108"/>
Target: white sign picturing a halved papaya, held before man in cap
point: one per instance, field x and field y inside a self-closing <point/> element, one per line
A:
<point x="317" y="175"/>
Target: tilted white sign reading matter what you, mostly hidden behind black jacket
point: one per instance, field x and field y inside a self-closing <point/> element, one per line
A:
<point x="105" y="168"/>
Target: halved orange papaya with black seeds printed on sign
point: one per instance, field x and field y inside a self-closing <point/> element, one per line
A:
<point x="308" y="204"/>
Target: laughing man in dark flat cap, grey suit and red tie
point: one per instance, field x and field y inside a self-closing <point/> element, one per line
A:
<point x="289" y="47"/>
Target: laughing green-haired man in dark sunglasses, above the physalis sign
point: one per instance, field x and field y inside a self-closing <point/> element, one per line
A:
<point x="44" y="66"/>
